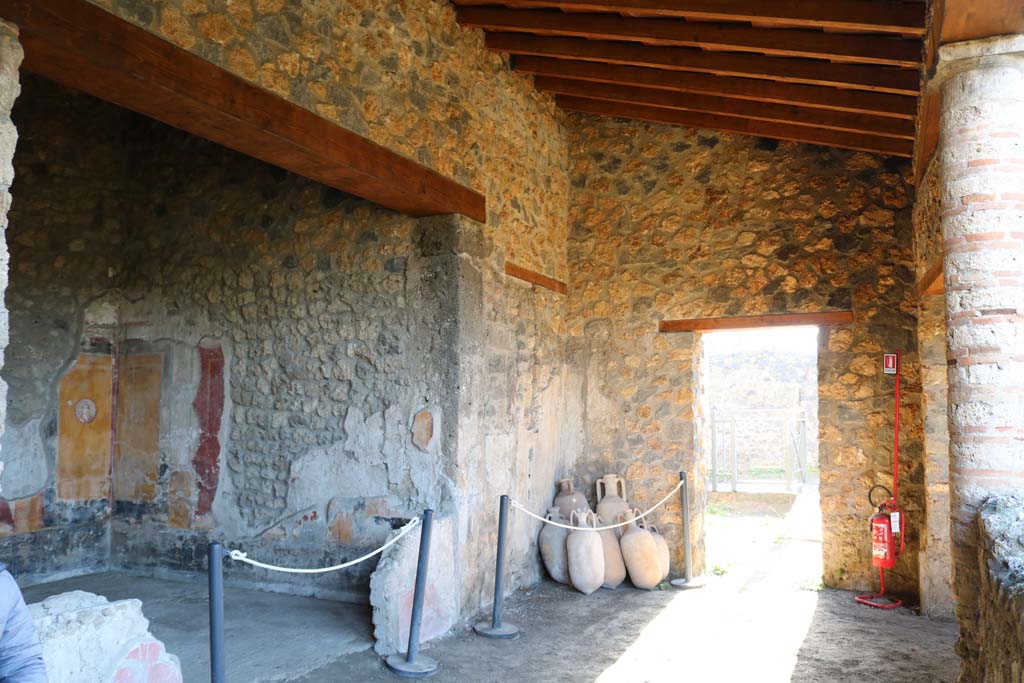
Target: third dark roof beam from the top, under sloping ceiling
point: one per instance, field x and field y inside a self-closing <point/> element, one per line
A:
<point x="813" y="72"/>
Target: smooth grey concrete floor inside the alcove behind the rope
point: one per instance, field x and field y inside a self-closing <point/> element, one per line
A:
<point x="269" y="636"/>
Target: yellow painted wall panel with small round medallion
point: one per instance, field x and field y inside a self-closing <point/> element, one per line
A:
<point x="84" y="447"/>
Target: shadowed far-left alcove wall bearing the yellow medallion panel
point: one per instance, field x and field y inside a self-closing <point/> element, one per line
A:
<point x="66" y="246"/>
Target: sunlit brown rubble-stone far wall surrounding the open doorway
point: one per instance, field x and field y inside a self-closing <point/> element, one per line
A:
<point x="676" y="224"/>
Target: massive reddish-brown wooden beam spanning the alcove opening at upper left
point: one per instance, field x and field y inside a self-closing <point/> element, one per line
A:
<point x="87" y="49"/>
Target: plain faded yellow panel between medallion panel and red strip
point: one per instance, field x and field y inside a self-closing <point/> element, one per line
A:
<point x="137" y="456"/>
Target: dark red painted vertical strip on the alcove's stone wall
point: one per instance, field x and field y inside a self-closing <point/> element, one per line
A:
<point x="209" y="407"/>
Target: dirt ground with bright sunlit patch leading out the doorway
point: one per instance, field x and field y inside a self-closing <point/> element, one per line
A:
<point x="761" y="618"/>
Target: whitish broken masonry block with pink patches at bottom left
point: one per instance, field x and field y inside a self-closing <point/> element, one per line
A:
<point x="86" y="637"/>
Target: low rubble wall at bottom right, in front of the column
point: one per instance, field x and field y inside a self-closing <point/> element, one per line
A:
<point x="1001" y="589"/>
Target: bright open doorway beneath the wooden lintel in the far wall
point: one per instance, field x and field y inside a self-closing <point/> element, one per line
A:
<point x="762" y="426"/>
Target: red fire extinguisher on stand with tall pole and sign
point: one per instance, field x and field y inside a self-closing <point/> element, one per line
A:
<point x="884" y="551"/>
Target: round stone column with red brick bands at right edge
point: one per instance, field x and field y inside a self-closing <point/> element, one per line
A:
<point x="983" y="165"/>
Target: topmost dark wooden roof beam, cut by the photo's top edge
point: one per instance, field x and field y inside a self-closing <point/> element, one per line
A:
<point x="866" y="16"/>
